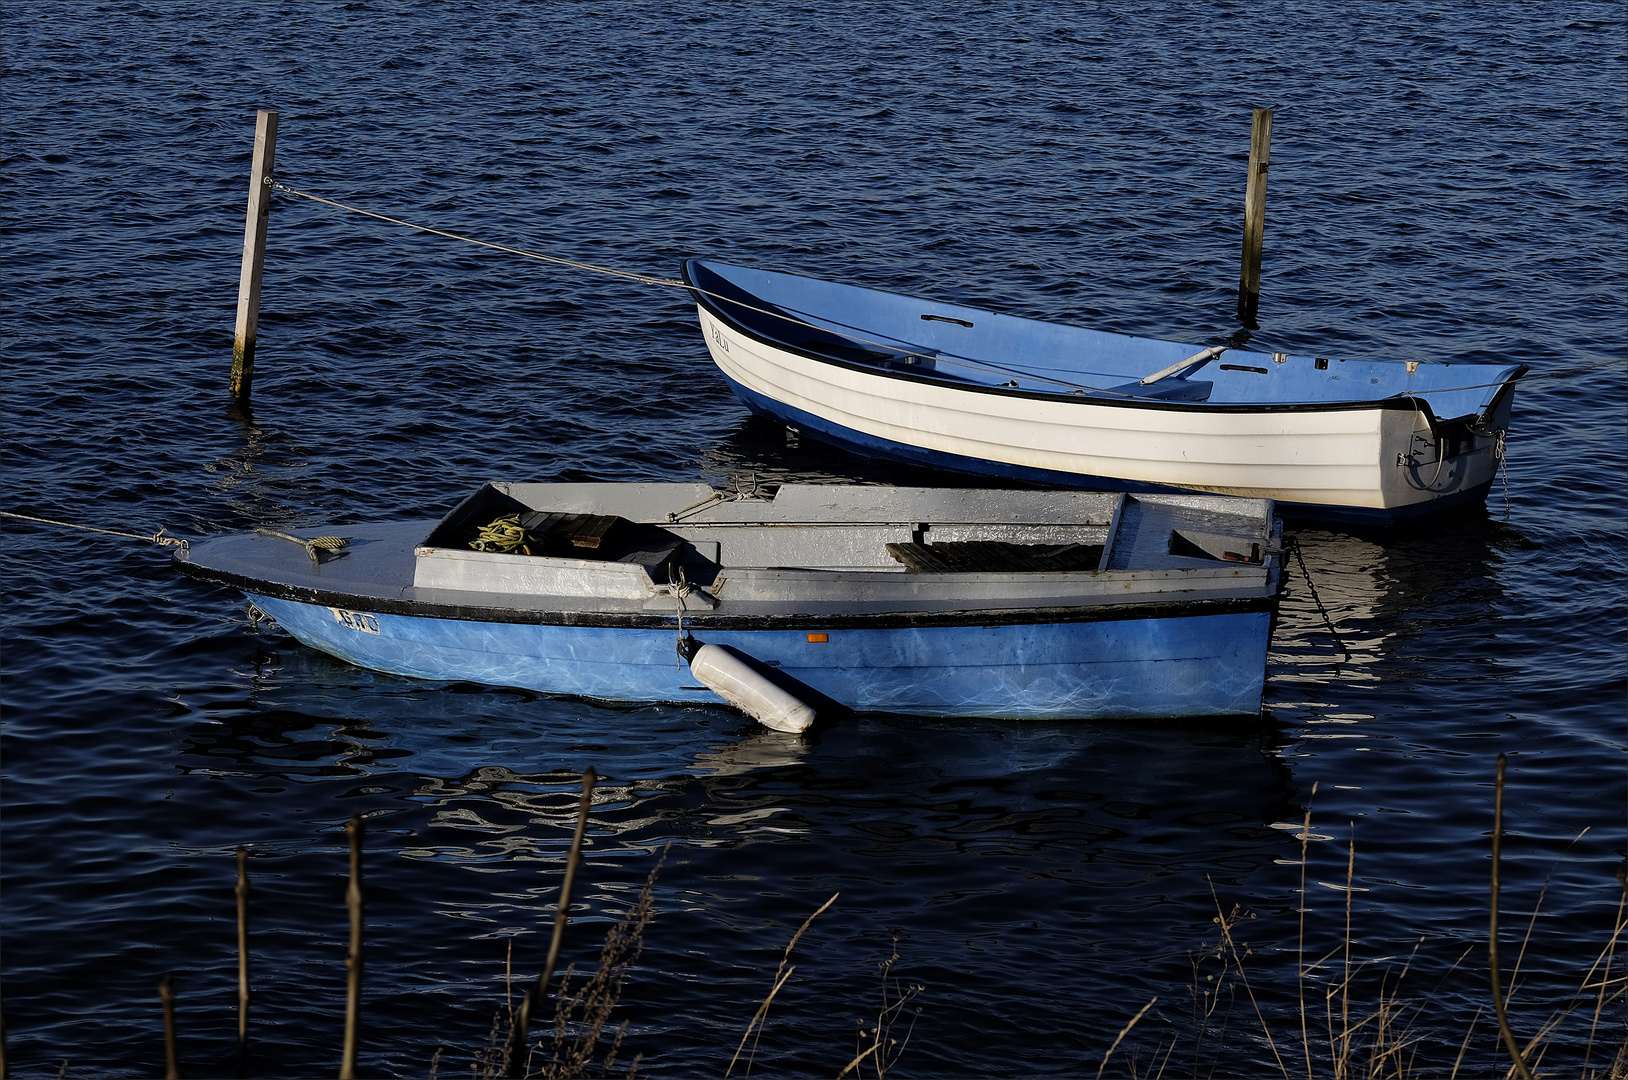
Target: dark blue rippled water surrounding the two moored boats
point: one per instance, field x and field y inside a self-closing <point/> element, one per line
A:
<point x="1446" y="183"/>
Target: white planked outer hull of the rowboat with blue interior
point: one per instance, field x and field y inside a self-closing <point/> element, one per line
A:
<point x="1380" y="459"/>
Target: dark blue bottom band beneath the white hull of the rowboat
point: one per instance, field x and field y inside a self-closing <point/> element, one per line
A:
<point x="857" y="442"/>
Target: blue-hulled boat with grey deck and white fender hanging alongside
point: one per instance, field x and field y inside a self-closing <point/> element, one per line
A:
<point x="982" y="604"/>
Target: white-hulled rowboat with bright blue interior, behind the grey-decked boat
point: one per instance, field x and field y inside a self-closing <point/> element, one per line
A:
<point x="976" y="392"/>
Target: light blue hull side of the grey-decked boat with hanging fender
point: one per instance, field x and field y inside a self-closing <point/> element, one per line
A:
<point x="1114" y="669"/>
